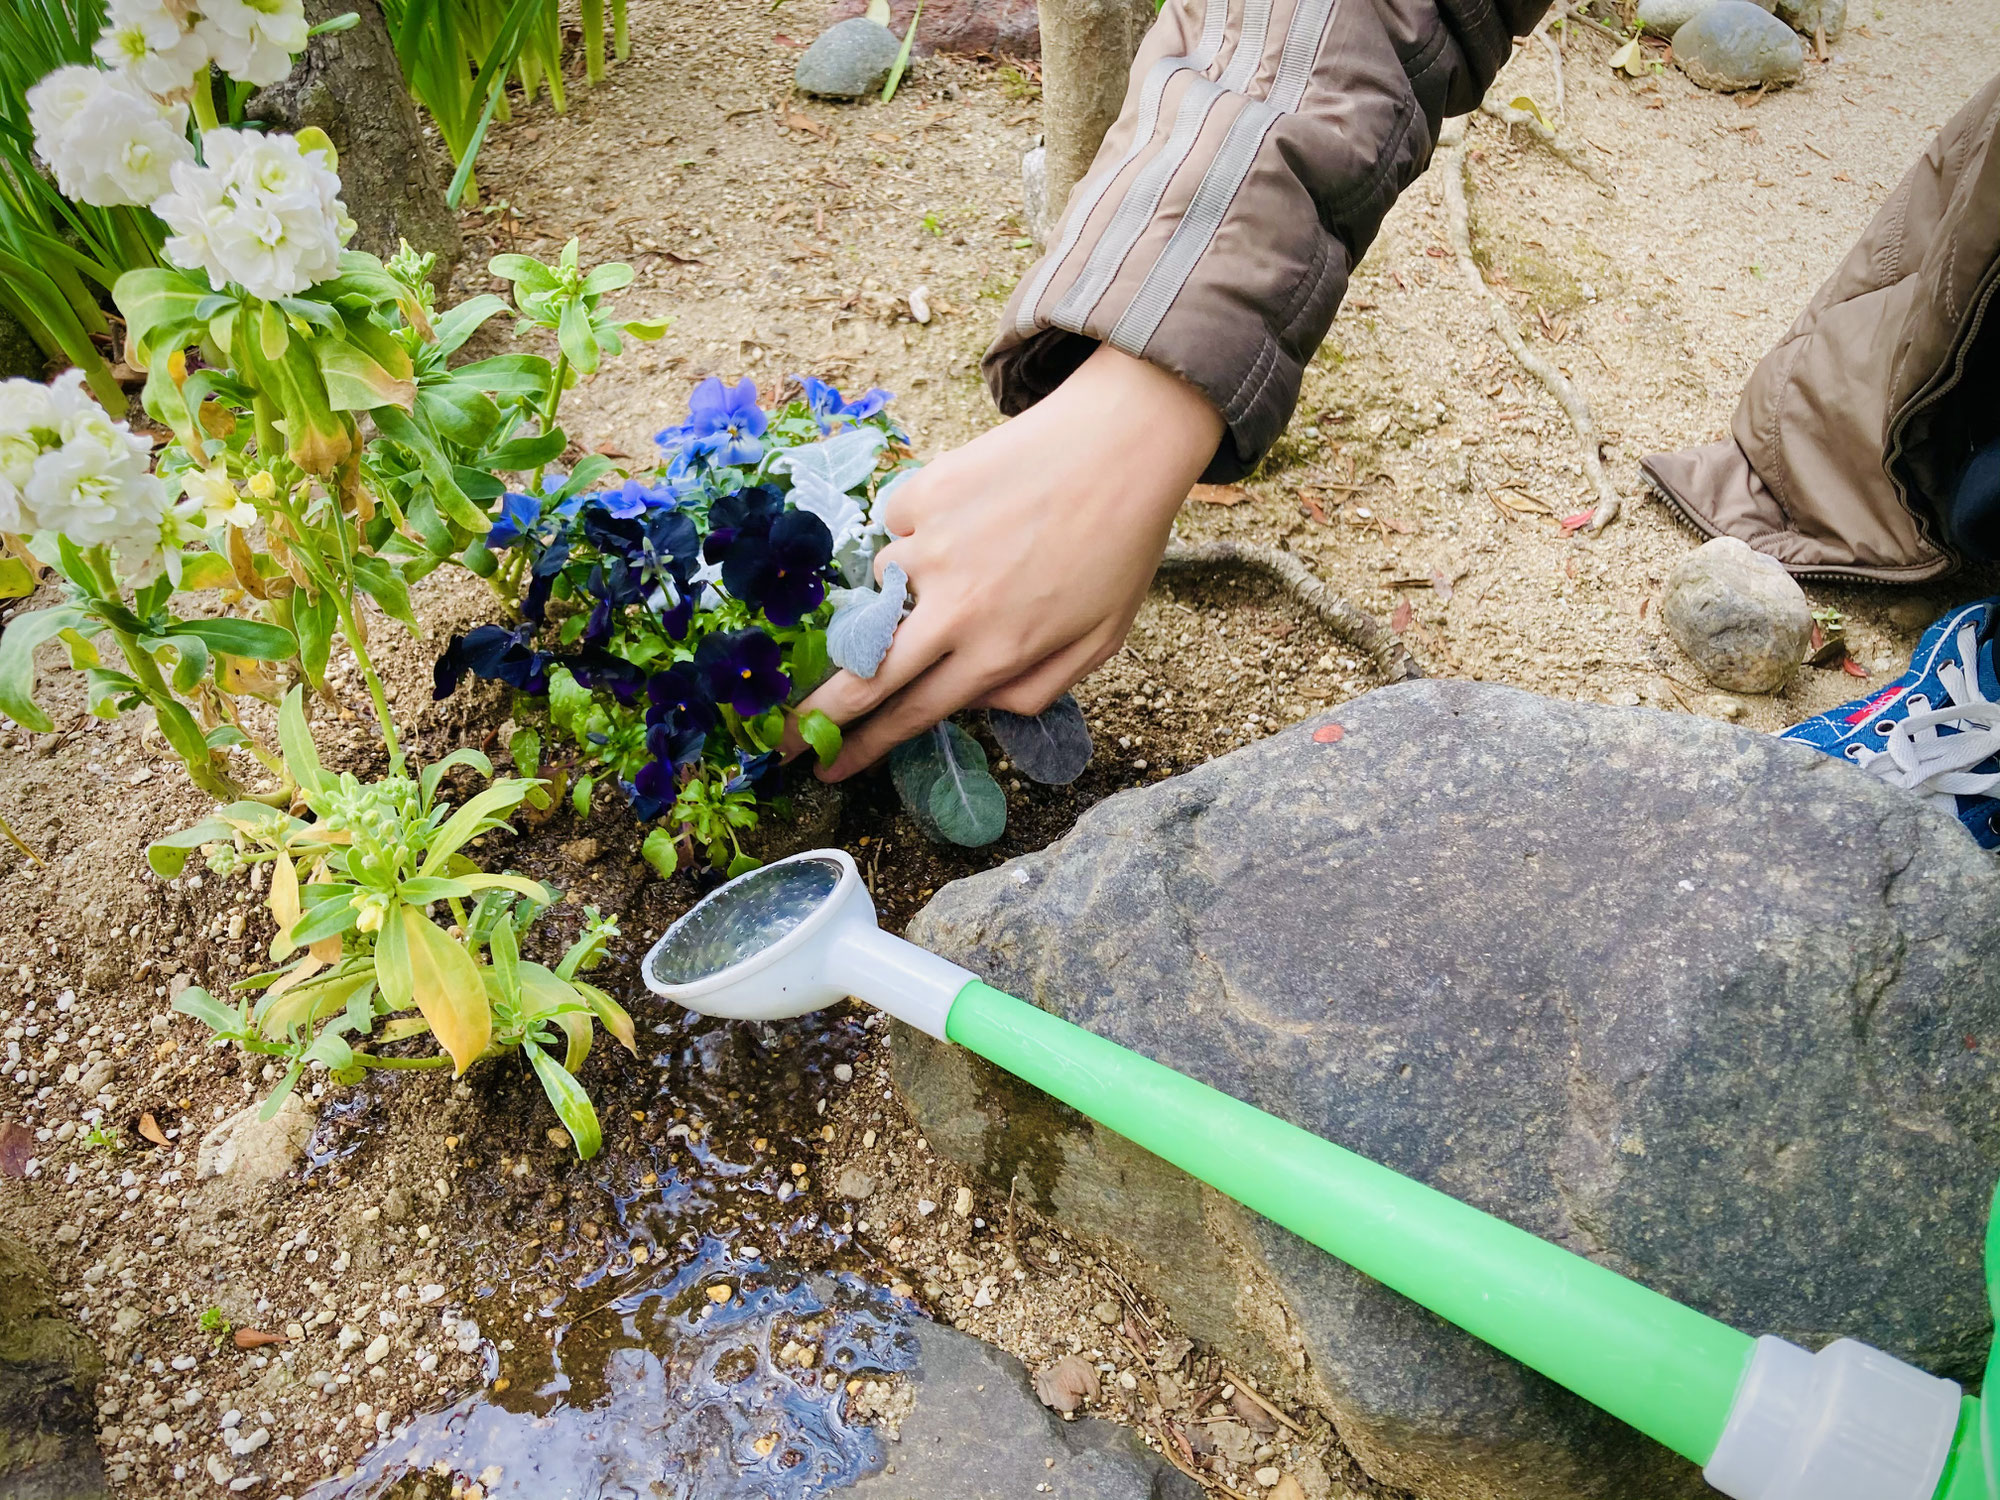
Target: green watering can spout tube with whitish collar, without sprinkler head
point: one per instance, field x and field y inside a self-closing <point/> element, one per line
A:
<point x="1665" y="1369"/>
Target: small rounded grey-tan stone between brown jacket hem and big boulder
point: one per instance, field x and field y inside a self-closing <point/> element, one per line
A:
<point x="1739" y="615"/>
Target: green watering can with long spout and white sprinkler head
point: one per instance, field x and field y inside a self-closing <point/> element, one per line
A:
<point x="1765" y="1419"/>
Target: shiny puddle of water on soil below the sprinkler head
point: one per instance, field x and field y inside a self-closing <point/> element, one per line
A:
<point x="631" y="1381"/>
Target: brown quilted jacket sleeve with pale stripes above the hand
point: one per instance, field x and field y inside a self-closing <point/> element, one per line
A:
<point x="1259" y="149"/>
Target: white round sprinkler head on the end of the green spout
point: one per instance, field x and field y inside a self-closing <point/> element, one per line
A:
<point x="795" y="937"/>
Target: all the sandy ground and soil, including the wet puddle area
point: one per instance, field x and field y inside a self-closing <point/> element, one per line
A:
<point x="1423" y="479"/>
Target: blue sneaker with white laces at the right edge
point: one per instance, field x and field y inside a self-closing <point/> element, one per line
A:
<point x="1937" y="729"/>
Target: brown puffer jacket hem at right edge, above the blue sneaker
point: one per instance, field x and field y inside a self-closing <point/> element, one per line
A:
<point x="1853" y="433"/>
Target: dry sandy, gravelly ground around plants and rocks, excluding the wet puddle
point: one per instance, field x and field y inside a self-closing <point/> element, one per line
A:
<point x="785" y="237"/>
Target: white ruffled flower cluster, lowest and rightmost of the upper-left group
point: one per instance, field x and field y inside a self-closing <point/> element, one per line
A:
<point x="261" y="213"/>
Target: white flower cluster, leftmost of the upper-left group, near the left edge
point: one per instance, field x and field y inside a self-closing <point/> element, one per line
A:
<point x="107" y="139"/>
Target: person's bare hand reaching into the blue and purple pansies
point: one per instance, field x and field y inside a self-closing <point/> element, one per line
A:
<point x="1029" y="553"/>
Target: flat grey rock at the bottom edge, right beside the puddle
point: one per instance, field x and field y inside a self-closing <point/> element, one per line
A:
<point x="977" y="1431"/>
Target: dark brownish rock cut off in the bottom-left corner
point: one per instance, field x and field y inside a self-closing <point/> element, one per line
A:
<point x="49" y="1377"/>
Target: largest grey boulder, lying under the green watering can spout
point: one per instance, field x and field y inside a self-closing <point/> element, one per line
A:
<point x="1707" y="1007"/>
